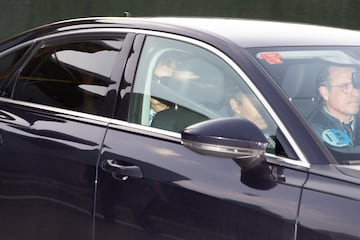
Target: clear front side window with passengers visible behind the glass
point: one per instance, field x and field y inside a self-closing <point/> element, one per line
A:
<point x="178" y="84"/>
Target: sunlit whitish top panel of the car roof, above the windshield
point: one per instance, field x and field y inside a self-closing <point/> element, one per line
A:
<point x="261" y="33"/>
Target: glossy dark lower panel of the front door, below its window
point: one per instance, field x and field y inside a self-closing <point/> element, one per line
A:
<point x="190" y="196"/>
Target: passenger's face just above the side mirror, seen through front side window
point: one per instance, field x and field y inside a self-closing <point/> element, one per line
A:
<point x="243" y="107"/>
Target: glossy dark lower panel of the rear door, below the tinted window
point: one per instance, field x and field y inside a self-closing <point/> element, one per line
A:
<point x="47" y="175"/>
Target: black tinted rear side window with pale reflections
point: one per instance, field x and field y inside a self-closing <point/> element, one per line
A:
<point x="73" y="75"/>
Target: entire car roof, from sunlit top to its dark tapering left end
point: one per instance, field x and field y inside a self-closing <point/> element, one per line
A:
<point x="245" y="33"/>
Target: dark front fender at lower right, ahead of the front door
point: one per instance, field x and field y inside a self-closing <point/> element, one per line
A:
<point x="330" y="206"/>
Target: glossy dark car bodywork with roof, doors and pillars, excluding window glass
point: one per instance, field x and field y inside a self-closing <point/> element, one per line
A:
<point x="79" y="175"/>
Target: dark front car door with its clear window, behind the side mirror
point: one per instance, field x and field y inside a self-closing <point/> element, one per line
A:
<point x="153" y="187"/>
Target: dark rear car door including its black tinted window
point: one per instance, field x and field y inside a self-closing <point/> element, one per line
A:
<point x="53" y="120"/>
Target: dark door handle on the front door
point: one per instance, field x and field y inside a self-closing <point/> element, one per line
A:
<point x="122" y="171"/>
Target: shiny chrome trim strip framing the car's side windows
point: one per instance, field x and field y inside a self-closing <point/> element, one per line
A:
<point x="303" y="160"/>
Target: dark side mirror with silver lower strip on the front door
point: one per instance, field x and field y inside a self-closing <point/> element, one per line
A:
<point x="234" y="138"/>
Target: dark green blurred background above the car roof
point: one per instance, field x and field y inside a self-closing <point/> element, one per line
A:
<point x="20" y="15"/>
